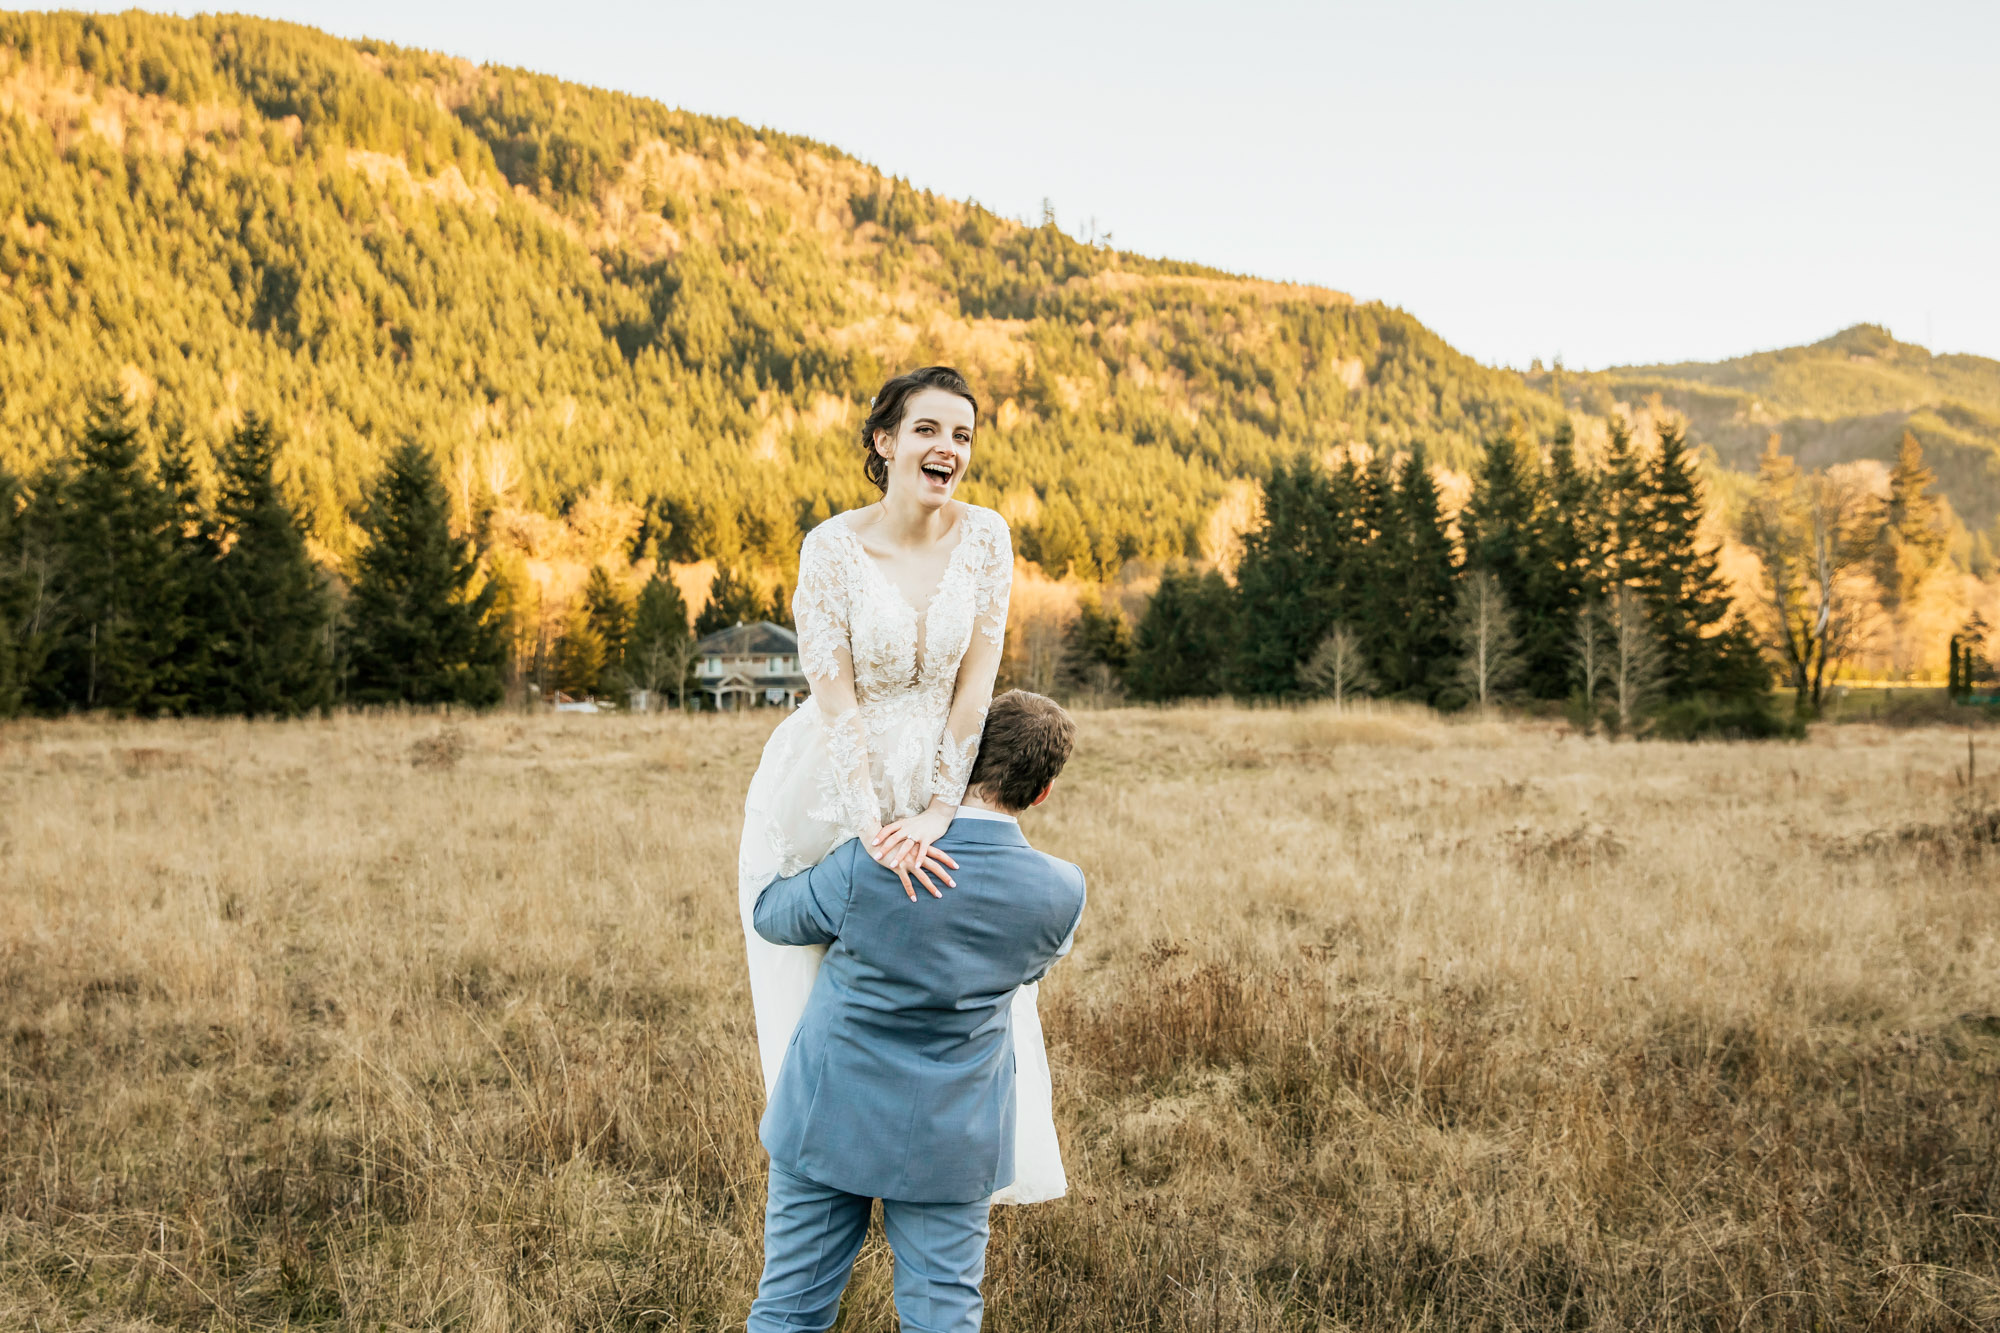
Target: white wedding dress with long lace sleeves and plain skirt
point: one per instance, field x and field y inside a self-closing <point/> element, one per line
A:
<point x="899" y="698"/>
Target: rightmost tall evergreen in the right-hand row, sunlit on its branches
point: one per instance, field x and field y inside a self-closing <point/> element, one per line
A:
<point x="1703" y="647"/>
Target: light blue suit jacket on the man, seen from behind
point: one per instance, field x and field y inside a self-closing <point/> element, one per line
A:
<point x="899" y="1082"/>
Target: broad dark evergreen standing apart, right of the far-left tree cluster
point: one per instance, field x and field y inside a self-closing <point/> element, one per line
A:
<point x="421" y="633"/>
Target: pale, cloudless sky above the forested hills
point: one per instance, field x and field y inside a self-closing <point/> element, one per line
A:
<point x="1611" y="183"/>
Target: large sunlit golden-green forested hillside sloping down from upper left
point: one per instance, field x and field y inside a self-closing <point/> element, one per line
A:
<point x="575" y="297"/>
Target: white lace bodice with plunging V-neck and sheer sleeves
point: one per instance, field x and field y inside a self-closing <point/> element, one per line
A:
<point x="901" y="692"/>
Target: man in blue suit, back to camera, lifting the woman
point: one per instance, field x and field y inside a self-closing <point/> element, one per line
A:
<point x="899" y="1082"/>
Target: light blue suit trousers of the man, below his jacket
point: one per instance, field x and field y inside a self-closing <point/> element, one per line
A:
<point x="813" y="1236"/>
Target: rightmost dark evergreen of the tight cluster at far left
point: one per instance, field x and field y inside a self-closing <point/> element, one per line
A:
<point x="269" y="651"/>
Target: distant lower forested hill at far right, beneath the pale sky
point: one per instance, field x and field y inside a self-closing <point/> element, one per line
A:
<point x="1837" y="401"/>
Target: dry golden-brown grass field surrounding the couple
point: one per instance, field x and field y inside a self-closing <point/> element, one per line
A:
<point x="1373" y="1024"/>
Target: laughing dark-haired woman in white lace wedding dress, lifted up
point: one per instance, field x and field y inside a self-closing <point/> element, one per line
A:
<point x="901" y="611"/>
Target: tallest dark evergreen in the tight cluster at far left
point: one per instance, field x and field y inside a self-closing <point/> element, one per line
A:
<point x="121" y="577"/>
